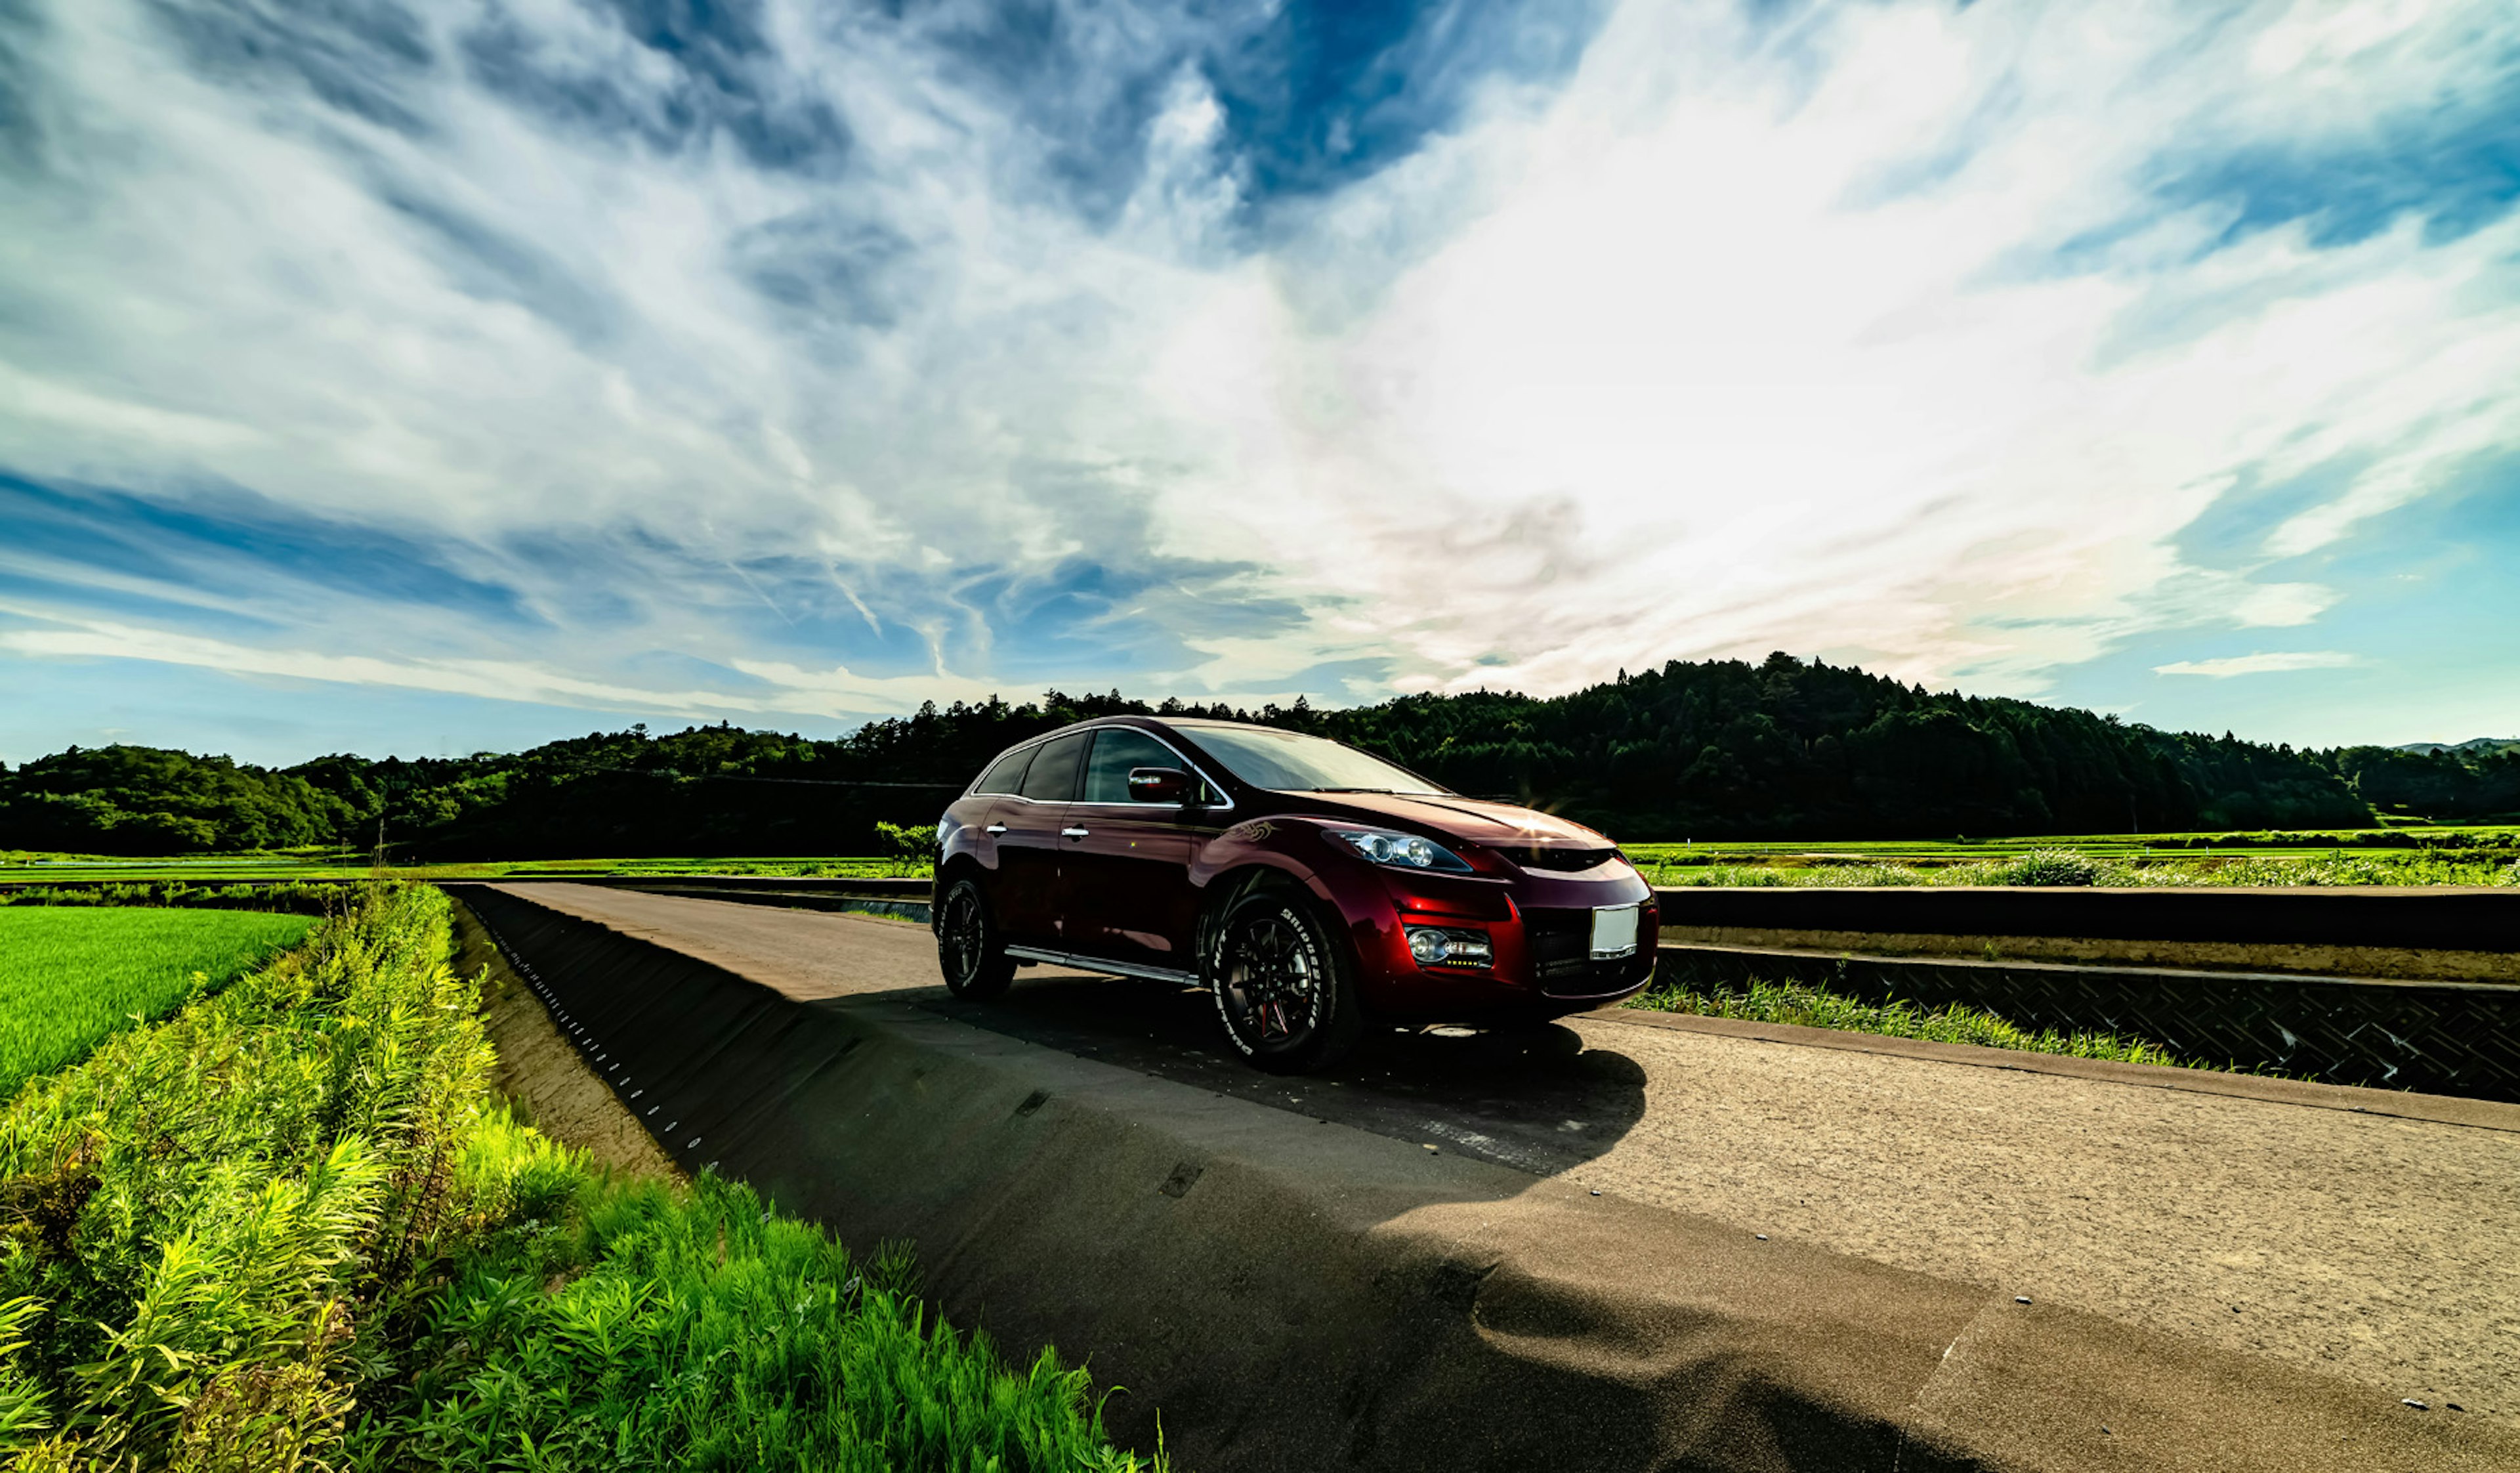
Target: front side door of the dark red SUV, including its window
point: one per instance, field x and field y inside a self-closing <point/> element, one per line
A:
<point x="1125" y="866"/>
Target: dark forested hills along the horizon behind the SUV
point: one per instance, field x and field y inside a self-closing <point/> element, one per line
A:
<point x="1695" y="750"/>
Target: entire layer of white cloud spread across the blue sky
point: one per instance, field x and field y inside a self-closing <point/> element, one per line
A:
<point x="1858" y="337"/>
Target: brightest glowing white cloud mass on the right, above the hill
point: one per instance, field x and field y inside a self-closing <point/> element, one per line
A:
<point x="1690" y="390"/>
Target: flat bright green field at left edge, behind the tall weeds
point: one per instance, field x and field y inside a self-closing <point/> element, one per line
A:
<point x="74" y="975"/>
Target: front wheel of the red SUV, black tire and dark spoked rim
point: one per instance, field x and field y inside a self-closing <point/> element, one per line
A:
<point x="1286" y="990"/>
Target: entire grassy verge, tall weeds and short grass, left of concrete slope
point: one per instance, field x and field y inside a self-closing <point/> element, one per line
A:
<point x="286" y="1230"/>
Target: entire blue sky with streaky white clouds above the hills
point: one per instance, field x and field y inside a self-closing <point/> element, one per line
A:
<point x="392" y="377"/>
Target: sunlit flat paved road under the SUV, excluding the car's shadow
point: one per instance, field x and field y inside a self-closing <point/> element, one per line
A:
<point x="2370" y="1247"/>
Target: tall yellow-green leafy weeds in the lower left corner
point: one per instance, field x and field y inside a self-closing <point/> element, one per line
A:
<point x="195" y="1214"/>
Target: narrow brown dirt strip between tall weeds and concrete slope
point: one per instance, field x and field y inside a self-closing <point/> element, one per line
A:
<point x="541" y="1076"/>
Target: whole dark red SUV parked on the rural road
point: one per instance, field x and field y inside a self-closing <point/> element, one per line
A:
<point x="1312" y="887"/>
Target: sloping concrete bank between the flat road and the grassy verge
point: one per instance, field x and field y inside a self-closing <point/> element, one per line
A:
<point x="1302" y="1295"/>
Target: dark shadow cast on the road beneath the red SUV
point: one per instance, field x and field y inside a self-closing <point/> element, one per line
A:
<point x="1536" y="1101"/>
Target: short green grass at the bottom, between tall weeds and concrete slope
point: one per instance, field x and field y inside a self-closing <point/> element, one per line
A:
<point x="639" y="1325"/>
